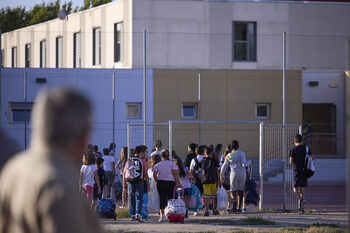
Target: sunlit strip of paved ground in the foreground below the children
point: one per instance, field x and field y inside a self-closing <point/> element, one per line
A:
<point x="227" y="223"/>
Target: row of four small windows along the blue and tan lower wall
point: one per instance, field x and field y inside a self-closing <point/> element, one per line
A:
<point x="19" y="112"/>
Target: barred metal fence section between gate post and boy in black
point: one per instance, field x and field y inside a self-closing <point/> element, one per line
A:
<point x="276" y="167"/>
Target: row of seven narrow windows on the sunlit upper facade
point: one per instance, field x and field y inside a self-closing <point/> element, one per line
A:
<point x="96" y="49"/>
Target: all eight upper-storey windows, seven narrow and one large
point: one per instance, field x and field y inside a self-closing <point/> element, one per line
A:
<point x="244" y="46"/>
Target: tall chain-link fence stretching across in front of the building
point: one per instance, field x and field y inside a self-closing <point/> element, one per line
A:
<point x="190" y="76"/>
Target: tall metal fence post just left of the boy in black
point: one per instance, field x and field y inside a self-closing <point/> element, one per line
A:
<point x="284" y="123"/>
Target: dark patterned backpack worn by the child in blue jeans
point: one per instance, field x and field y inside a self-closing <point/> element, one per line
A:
<point x="133" y="174"/>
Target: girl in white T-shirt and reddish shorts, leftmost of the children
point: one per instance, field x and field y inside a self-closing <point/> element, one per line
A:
<point x="88" y="173"/>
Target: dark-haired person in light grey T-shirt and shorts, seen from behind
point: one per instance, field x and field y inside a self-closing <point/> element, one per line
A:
<point x="237" y="162"/>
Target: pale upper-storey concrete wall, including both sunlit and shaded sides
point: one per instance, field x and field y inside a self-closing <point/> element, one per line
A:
<point x="196" y="34"/>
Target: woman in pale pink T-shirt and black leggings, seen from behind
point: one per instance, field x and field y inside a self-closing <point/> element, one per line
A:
<point x="165" y="173"/>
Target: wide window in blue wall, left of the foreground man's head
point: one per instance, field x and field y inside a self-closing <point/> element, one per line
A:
<point x="20" y="112"/>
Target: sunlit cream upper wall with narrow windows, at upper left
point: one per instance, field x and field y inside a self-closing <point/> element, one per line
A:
<point x="103" y="17"/>
